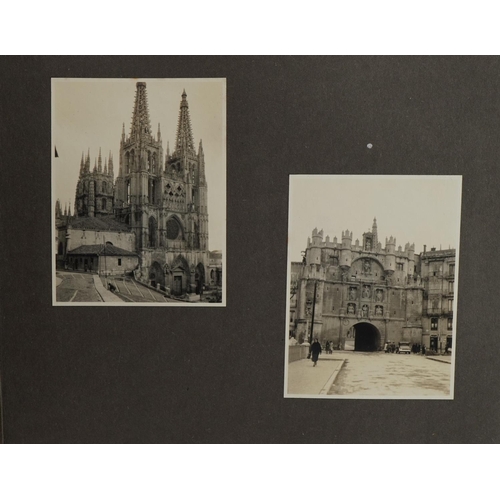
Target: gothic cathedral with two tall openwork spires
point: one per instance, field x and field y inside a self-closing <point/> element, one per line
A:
<point x="156" y="207"/>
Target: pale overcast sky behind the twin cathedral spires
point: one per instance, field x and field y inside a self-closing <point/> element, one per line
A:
<point x="89" y="113"/>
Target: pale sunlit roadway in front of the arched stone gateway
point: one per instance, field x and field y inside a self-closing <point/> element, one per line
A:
<point x="391" y="375"/>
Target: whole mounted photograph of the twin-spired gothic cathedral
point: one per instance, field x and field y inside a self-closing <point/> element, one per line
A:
<point x="139" y="191"/>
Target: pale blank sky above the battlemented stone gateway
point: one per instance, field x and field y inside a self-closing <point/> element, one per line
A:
<point x="424" y="210"/>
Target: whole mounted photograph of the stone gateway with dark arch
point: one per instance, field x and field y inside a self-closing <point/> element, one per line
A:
<point x="372" y="286"/>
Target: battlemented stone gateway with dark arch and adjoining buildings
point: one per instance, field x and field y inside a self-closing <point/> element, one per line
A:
<point x="360" y="295"/>
